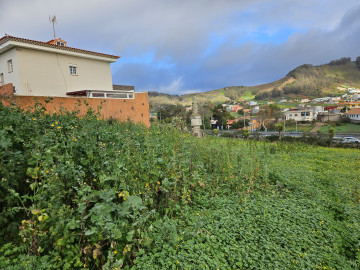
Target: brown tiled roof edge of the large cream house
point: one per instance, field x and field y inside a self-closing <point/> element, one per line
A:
<point x="45" y="44"/>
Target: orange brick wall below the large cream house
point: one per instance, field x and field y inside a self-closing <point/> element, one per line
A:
<point x="136" y="110"/>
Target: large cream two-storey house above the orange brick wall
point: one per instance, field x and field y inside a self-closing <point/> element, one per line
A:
<point x="37" y="68"/>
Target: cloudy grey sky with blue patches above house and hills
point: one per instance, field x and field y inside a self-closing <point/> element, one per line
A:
<point x="185" y="46"/>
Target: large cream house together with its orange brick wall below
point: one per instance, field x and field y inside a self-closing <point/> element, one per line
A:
<point x="52" y="69"/>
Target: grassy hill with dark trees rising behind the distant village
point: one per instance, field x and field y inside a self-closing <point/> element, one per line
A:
<point x="304" y="81"/>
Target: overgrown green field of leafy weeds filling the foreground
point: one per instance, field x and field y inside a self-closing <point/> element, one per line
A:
<point x="83" y="193"/>
